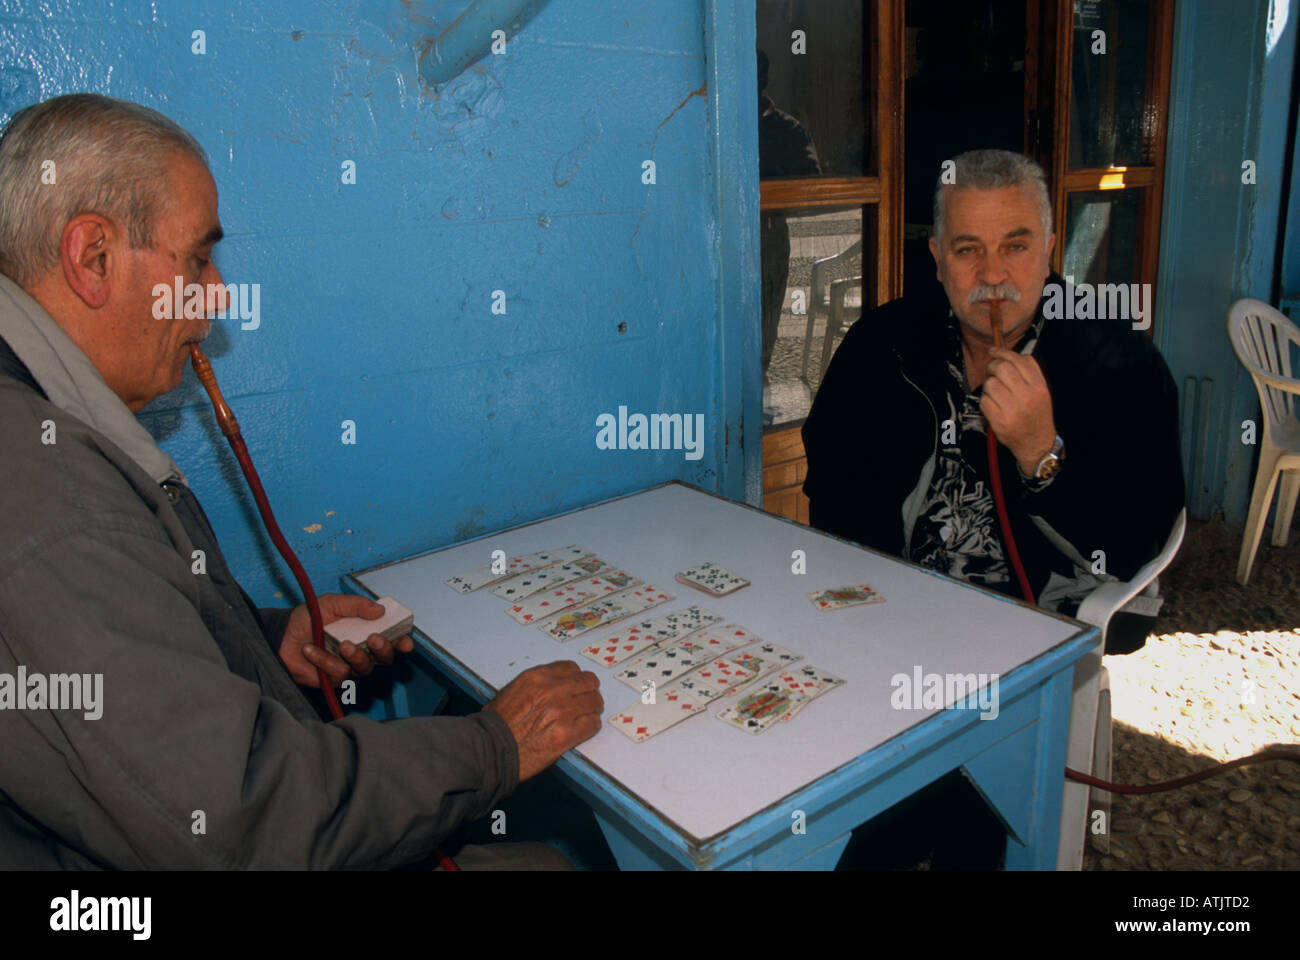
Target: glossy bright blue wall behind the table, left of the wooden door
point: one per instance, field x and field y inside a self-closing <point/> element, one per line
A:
<point x="523" y="175"/>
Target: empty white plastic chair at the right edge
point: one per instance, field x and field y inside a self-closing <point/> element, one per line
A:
<point x="1263" y="339"/>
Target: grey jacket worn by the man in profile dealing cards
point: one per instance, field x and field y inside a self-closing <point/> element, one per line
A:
<point x="206" y="753"/>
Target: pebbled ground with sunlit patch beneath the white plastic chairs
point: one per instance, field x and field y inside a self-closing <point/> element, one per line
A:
<point x="1220" y="680"/>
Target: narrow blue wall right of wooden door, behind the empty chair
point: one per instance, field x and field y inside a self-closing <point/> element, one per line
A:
<point x="1232" y="89"/>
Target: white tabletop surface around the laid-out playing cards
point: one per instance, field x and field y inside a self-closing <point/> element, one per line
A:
<point x="705" y="776"/>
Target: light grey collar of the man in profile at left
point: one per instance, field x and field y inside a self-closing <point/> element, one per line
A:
<point x="73" y="384"/>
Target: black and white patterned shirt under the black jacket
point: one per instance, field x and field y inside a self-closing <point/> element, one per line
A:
<point x="957" y="531"/>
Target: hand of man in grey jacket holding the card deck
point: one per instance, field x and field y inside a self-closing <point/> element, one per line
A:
<point x="302" y="658"/>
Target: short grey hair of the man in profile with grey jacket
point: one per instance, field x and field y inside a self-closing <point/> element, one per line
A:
<point x="109" y="157"/>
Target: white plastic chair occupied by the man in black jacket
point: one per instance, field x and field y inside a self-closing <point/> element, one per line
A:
<point x="1089" y="750"/>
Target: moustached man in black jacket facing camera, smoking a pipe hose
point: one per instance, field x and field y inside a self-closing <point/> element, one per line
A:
<point x="1085" y="412"/>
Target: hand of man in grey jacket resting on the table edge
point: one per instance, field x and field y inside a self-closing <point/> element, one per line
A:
<point x="551" y="710"/>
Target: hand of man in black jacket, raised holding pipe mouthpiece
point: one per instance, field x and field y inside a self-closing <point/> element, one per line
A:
<point x="1019" y="407"/>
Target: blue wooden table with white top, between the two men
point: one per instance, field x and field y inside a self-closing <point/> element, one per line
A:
<point x="708" y="797"/>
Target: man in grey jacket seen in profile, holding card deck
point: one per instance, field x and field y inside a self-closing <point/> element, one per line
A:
<point x="205" y="751"/>
